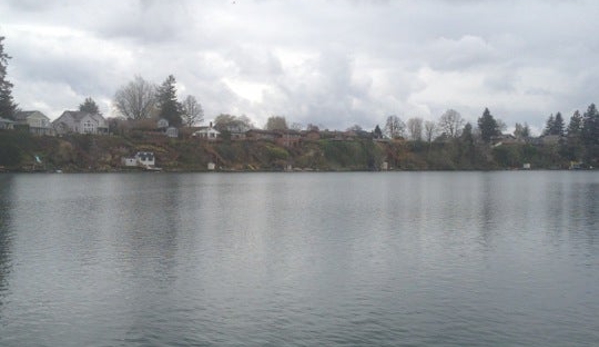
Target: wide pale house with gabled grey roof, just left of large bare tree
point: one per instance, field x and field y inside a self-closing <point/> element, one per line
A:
<point x="80" y="123"/>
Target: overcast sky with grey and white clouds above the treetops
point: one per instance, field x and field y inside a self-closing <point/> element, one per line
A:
<point x="334" y="63"/>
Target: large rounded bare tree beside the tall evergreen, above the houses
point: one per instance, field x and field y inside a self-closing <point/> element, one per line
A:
<point x="136" y="100"/>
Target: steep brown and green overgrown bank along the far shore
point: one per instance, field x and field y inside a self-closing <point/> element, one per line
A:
<point x="23" y="152"/>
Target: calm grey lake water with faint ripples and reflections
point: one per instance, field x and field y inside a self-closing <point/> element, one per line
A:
<point x="300" y="259"/>
